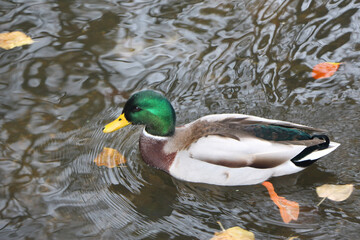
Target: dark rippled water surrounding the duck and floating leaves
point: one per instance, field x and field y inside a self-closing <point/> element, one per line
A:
<point x="216" y="56"/>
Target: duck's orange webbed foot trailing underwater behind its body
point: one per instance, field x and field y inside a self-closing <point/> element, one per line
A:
<point x="289" y="210"/>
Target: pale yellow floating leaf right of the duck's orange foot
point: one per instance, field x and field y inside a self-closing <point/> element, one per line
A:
<point x="334" y="192"/>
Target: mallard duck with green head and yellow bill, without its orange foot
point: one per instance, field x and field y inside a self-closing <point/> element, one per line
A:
<point x="220" y="149"/>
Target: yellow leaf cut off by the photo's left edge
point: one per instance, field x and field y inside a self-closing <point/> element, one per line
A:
<point x="11" y="40"/>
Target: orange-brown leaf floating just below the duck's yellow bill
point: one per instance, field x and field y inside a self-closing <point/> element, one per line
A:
<point x="110" y="158"/>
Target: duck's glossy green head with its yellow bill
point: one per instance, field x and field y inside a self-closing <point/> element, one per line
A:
<point x="147" y="108"/>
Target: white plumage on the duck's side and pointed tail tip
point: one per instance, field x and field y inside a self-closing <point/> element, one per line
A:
<point x="191" y="165"/>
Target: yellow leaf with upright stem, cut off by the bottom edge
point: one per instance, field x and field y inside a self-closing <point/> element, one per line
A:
<point x="234" y="233"/>
